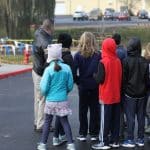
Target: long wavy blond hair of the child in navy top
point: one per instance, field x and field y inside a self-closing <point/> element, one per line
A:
<point x="87" y="44"/>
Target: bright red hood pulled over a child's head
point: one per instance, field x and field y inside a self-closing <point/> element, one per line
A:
<point x="108" y="48"/>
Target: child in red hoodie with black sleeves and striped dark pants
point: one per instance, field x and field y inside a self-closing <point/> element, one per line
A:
<point x="109" y="77"/>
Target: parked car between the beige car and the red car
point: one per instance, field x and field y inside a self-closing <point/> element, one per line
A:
<point x="108" y="14"/>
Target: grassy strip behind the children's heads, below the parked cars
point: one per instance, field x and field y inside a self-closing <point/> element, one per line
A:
<point x="143" y="32"/>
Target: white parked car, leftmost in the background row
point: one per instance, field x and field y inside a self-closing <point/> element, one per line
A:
<point x="80" y="15"/>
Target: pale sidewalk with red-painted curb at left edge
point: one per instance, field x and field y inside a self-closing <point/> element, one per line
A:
<point x="7" y="70"/>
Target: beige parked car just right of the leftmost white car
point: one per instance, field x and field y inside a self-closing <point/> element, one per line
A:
<point x="95" y="14"/>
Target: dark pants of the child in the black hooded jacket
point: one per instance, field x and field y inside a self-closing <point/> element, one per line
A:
<point x="135" y="107"/>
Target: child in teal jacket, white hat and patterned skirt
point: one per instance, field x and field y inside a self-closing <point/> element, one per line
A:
<point x="56" y="83"/>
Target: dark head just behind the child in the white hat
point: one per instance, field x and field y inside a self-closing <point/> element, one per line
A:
<point x="65" y="39"/>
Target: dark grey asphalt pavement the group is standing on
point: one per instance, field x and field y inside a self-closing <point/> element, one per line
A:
<point x="16" y="116"/>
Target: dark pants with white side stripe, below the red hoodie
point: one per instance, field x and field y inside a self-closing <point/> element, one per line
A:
<point x="110" y="123"/>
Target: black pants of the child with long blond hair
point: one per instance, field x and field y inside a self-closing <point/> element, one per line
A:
<point x="88" y="100"/>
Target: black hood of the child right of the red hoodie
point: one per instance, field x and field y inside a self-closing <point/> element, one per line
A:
<point x="134" y="47"/>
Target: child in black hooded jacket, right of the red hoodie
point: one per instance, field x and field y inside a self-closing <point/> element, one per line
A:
<point x="135" y="79"/>
